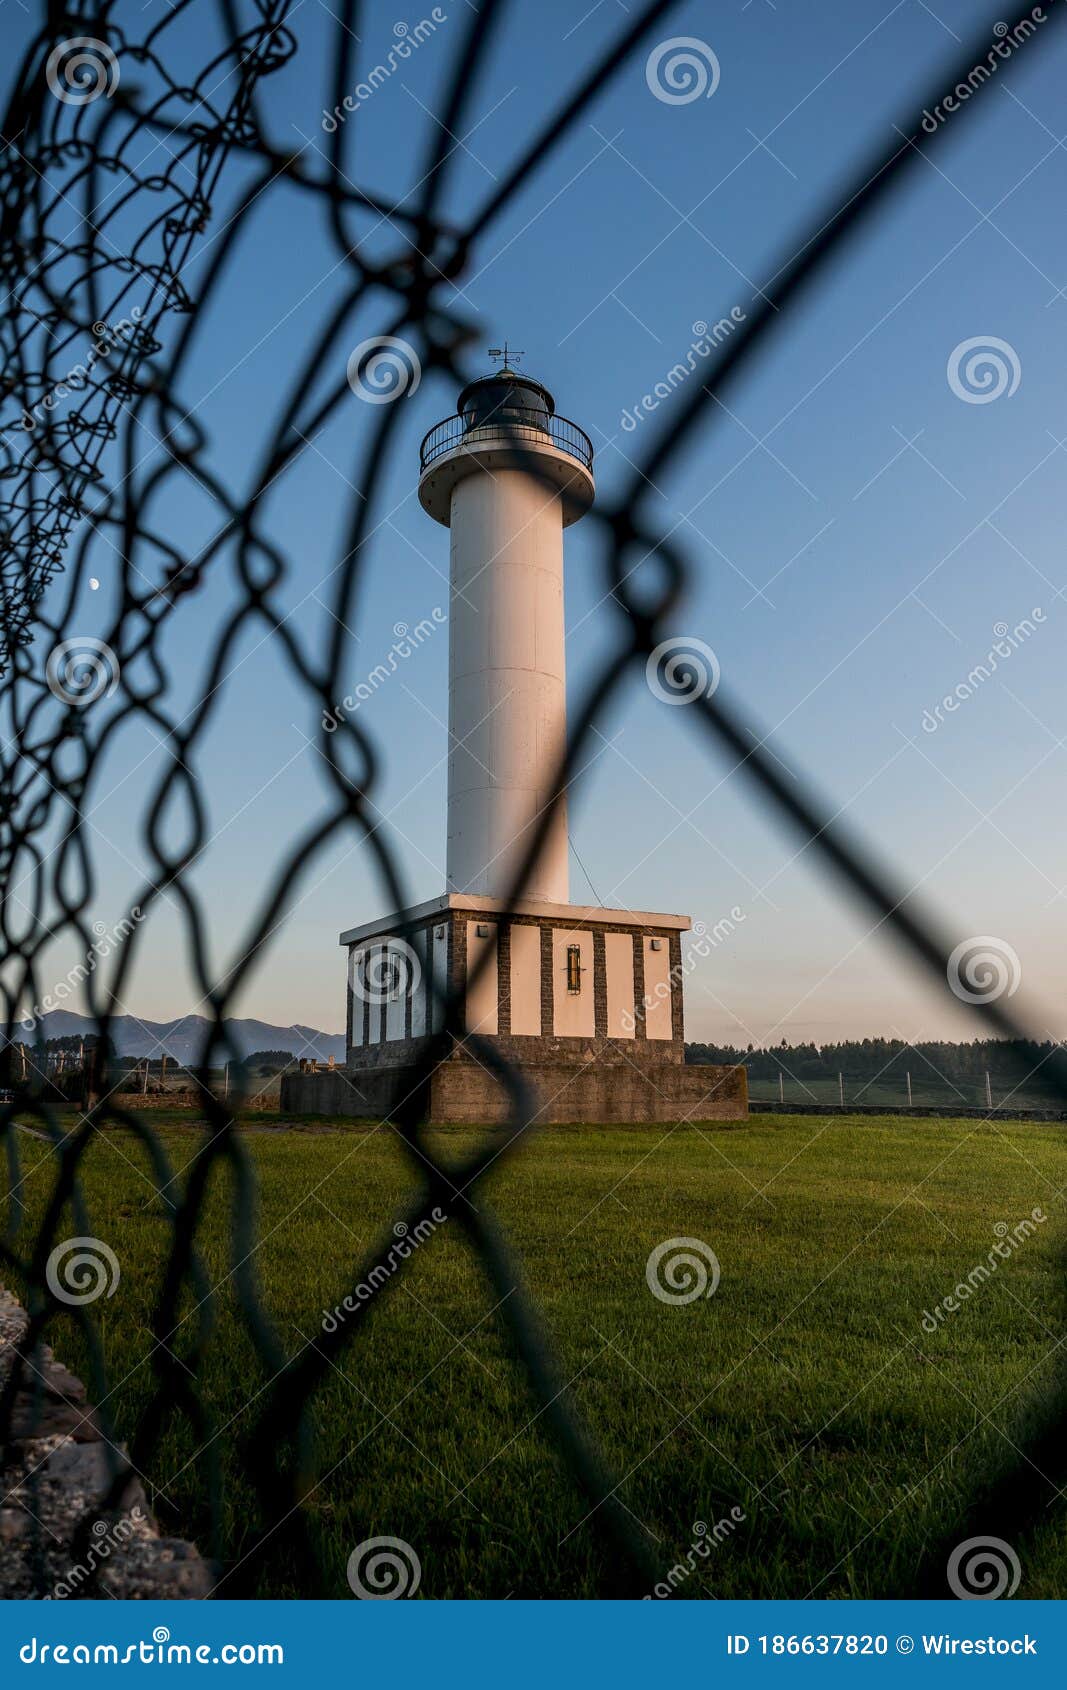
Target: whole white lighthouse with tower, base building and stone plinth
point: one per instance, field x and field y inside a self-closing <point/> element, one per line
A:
<point x="586" y="1000"/>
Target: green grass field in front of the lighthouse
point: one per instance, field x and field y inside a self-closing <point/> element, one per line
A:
<point x="804" y="1393"/>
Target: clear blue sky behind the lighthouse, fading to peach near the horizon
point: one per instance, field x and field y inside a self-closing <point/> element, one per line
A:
<point x="855" y="530"/>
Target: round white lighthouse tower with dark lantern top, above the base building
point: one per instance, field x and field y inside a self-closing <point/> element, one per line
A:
<point x="506" y="477"/>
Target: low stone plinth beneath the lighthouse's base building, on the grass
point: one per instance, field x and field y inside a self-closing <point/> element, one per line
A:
<point x="462" y="1093"/>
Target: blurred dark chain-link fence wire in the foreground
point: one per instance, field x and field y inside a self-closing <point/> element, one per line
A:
<point x="102" y="205"/>
